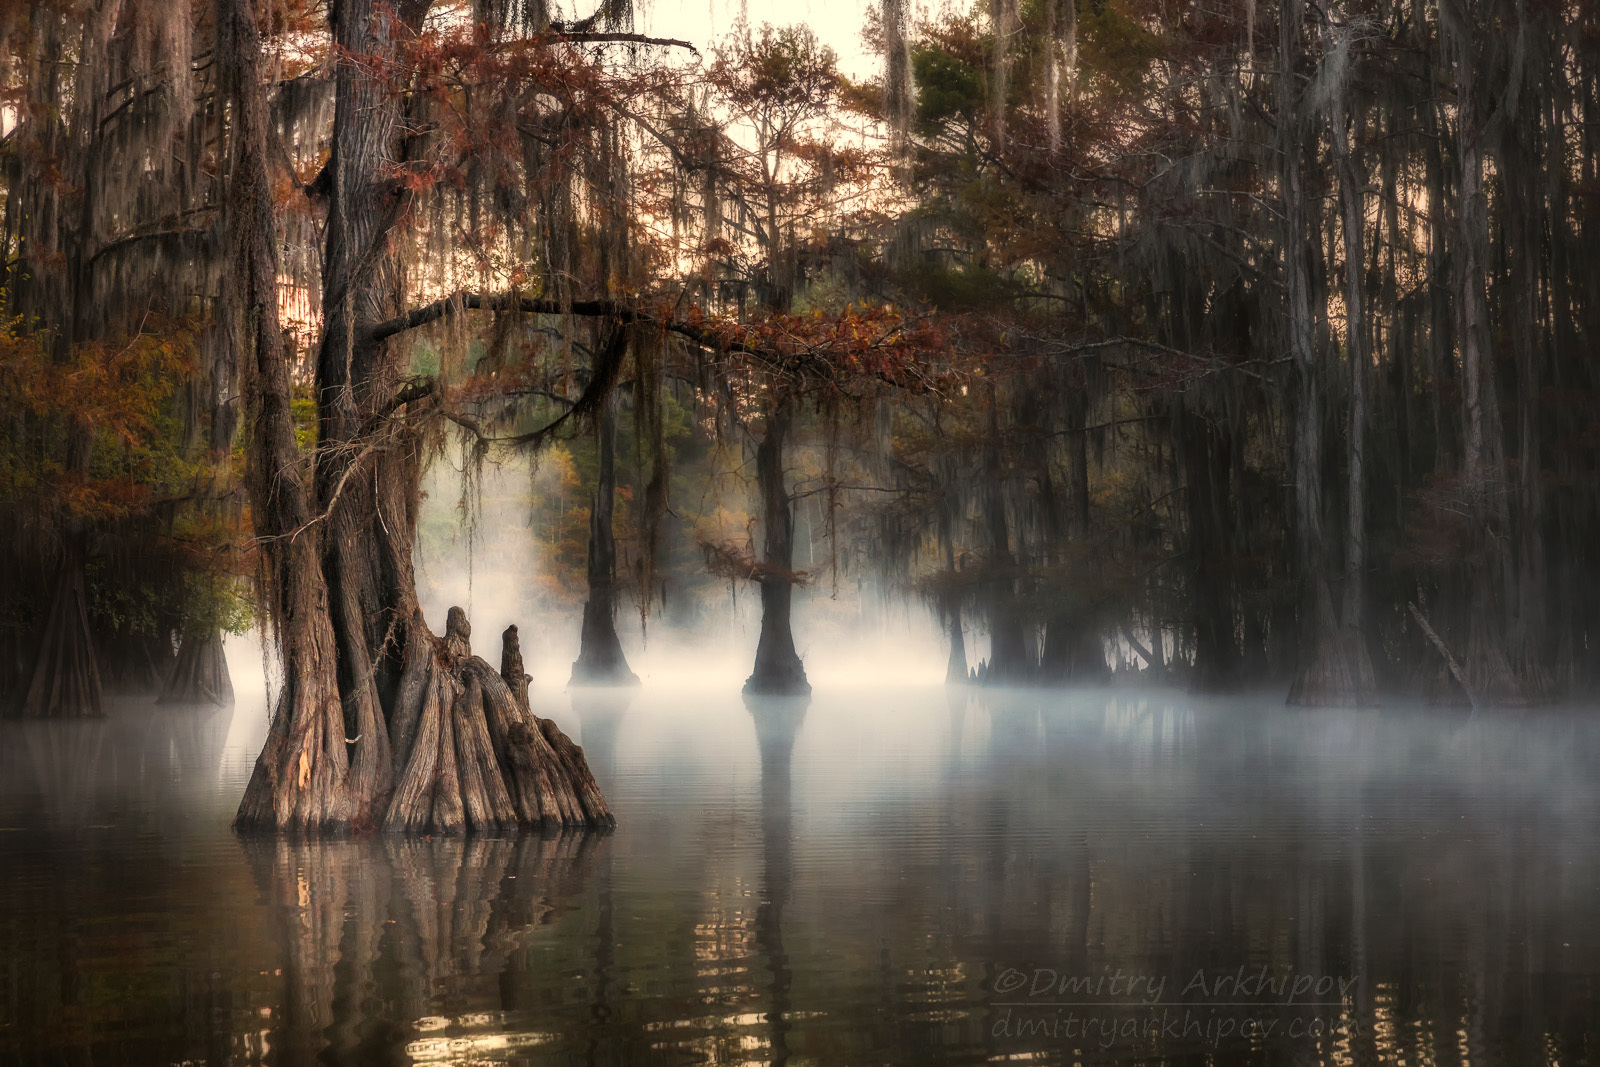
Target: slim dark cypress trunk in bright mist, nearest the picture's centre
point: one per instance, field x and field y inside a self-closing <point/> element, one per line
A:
<point x="778" y="668"/>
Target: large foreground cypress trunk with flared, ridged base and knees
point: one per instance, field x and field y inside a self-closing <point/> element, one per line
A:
<point x="378" y="722"/>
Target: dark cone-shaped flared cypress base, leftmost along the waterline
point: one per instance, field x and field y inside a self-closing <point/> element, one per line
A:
<point x="65" y="681"/>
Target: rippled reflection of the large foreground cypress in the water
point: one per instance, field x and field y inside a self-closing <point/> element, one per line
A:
<point x="410" y="945"/>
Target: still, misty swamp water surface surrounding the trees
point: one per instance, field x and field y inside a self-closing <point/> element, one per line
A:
<point x="897" y="876"/>
